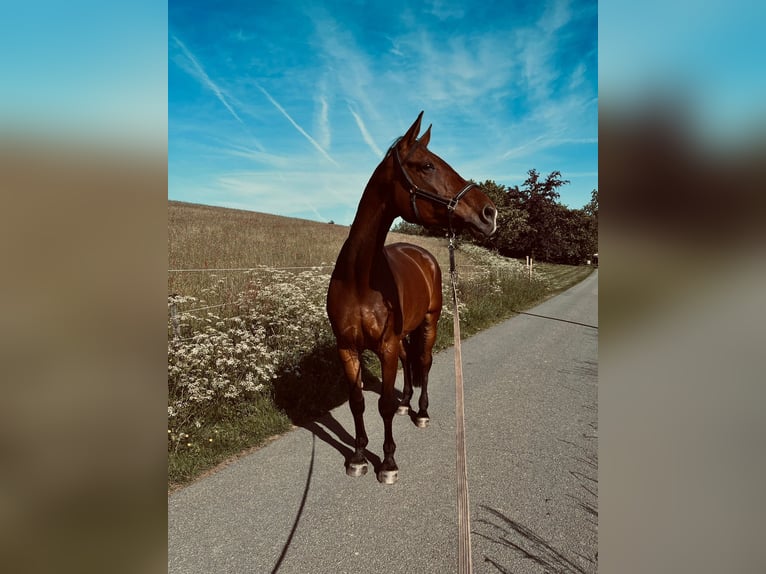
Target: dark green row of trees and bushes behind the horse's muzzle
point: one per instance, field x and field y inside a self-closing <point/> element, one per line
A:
<point x="532" y="221"/>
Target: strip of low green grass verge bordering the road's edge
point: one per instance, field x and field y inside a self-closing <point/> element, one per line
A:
<point x="317" y="385"/>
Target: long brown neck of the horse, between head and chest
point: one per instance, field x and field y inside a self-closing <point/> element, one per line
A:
<point x="363" y="250"/>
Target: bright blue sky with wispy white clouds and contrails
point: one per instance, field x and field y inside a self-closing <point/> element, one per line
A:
<point x="288" y="107"/>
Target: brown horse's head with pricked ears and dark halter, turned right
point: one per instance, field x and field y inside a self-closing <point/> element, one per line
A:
<point x="429" y="192"/>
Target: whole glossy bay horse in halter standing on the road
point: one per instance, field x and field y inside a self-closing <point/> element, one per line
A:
<point x="388" y="298"/>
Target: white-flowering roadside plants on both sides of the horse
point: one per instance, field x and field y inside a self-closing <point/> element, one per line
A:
<point x="227" y="346"/>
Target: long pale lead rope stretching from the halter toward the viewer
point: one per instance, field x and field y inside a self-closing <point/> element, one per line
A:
<point x="463" y="508"/>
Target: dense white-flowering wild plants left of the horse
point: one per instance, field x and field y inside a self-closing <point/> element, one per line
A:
<point x="215" y="361"/>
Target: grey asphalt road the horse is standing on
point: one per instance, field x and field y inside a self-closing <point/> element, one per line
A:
<point x="532" y="442"/>
